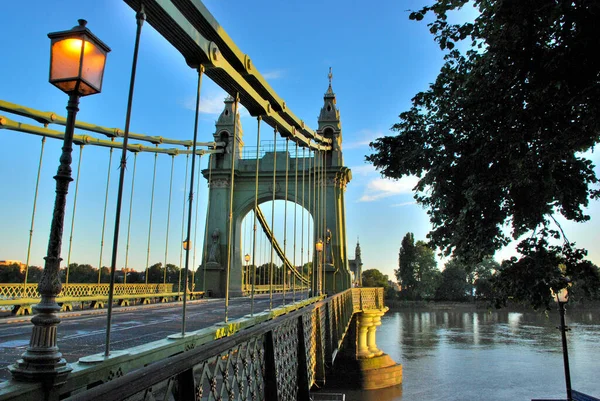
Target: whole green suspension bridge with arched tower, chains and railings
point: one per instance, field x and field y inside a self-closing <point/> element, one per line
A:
<point x="274" y="225"/>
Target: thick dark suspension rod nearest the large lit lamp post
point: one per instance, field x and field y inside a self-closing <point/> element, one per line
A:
<point x="140" y="17"/>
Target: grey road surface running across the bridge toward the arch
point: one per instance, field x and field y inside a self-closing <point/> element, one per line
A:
<point x="82" y="333"/>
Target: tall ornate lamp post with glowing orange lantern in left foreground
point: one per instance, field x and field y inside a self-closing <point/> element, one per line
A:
<point x="77" y="65"/>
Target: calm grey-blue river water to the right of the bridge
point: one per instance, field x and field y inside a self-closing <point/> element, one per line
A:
<point x="471" y="354"/>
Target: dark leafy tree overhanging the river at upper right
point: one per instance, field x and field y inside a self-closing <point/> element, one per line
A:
<point x="498" y="139"/>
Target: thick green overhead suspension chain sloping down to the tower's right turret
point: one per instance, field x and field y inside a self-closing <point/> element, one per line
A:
<point x="186" y="25"/>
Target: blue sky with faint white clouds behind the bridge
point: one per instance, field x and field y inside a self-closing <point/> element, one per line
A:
<point x="380" y="59"/>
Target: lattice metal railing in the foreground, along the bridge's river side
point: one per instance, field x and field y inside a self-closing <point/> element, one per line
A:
<point x="279" y="355"/>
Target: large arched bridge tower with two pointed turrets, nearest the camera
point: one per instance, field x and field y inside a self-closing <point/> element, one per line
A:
<point x="228" y="131"/>
